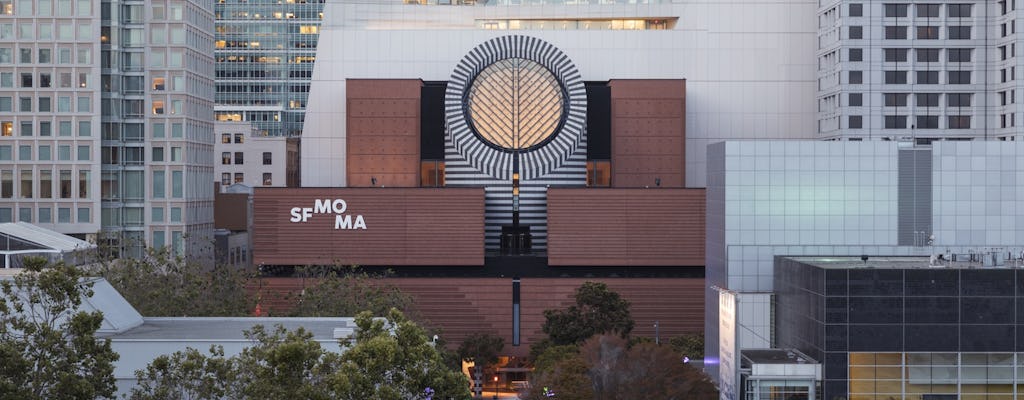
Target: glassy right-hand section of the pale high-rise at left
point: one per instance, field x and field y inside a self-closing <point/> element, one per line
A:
<point x="157" y="124"/>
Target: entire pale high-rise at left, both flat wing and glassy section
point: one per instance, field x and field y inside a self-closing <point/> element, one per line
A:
<point x="108" y="120"/>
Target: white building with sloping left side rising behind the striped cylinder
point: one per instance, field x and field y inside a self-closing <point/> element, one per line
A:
<point x="750" y="68"/>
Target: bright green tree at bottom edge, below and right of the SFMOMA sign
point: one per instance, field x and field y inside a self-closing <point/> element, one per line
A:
<point x="392" y="360"/>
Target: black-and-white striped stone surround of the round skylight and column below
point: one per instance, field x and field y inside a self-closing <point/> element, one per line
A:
<point x="560" y="162"/>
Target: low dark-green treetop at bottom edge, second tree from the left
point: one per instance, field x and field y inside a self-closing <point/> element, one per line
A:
<point x="186" y="375"/>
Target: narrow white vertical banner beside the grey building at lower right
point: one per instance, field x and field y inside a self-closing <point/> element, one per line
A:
<point x="729" y="351"/>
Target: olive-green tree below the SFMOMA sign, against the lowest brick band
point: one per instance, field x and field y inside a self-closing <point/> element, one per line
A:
<point x="348" y="293"/>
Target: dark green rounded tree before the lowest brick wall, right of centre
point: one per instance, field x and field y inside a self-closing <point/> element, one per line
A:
<point x="598" y="310"/>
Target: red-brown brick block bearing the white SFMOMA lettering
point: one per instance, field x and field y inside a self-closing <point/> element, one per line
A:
<point x="405" y="227"/>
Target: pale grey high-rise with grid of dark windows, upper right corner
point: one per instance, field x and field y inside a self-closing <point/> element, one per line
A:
<point x="942" y="70"/>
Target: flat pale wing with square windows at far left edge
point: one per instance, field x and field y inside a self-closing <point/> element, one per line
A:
<point x="50" y="115"/>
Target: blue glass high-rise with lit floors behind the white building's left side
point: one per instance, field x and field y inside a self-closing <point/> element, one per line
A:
<point x="266" y="53"/>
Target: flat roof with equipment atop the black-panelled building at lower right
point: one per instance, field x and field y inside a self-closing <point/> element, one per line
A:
<point x="958" y="261"/>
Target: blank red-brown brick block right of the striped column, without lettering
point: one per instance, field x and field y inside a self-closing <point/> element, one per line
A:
<point x="626" y="228"/>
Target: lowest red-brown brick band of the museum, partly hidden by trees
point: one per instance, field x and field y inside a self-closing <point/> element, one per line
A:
<point x="459" y="307"/>
